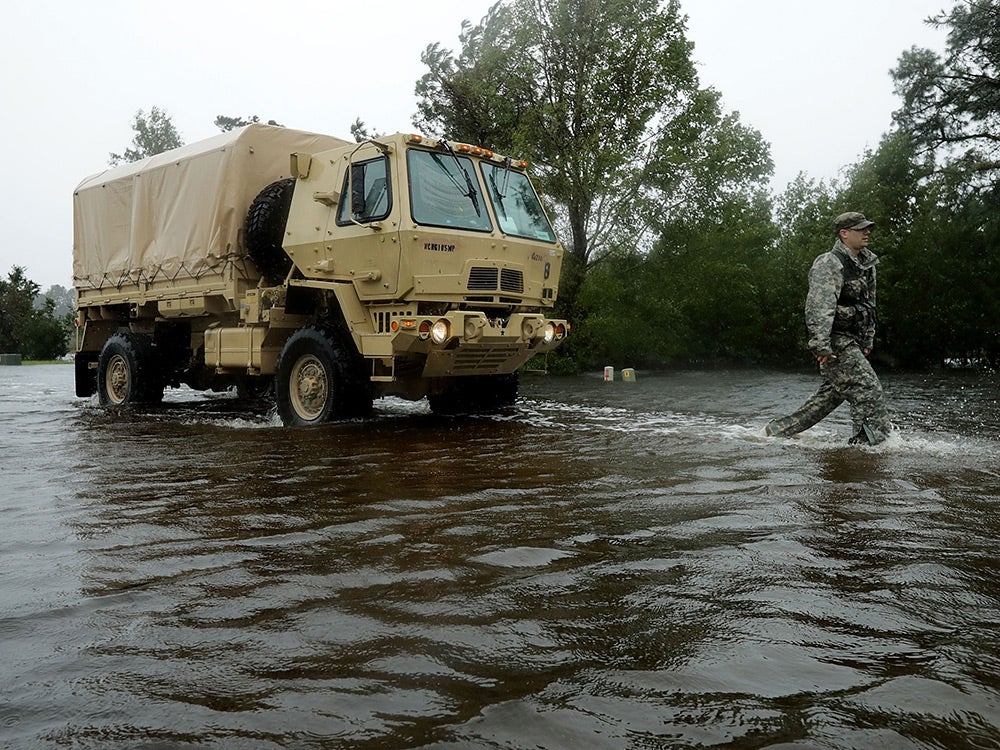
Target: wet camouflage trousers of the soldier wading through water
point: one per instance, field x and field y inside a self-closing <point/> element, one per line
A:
<point x="849" y="378"/>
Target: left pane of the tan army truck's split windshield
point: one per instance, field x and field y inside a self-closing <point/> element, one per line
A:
<point x="440" y="192"/>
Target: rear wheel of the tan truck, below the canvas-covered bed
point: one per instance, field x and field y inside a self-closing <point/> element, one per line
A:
<point x="127" y="371"/>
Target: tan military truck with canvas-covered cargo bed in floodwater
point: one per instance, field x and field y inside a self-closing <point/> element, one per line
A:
<point x="333" y="272"/>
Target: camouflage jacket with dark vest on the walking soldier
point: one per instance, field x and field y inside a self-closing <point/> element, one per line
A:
<point x="825" y="303"/>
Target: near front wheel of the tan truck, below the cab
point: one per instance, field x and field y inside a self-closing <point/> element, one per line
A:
<point x="318" y="379"/>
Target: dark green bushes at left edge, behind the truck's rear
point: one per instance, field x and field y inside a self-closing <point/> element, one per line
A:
<point x="36" y="332"/>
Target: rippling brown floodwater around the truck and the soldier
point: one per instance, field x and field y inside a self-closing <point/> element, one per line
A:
<point x="610" y="565"/>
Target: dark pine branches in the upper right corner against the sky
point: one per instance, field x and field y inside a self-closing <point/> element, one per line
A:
<point x="951" y="104"/>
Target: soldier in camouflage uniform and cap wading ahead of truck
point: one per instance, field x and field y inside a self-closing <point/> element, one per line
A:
<point x="840" y="319"/>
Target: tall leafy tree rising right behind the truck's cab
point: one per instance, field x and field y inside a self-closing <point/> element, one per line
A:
<point x="602" y="95"/>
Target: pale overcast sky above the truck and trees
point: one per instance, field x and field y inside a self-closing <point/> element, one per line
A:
<point x="812" y="76"/>
